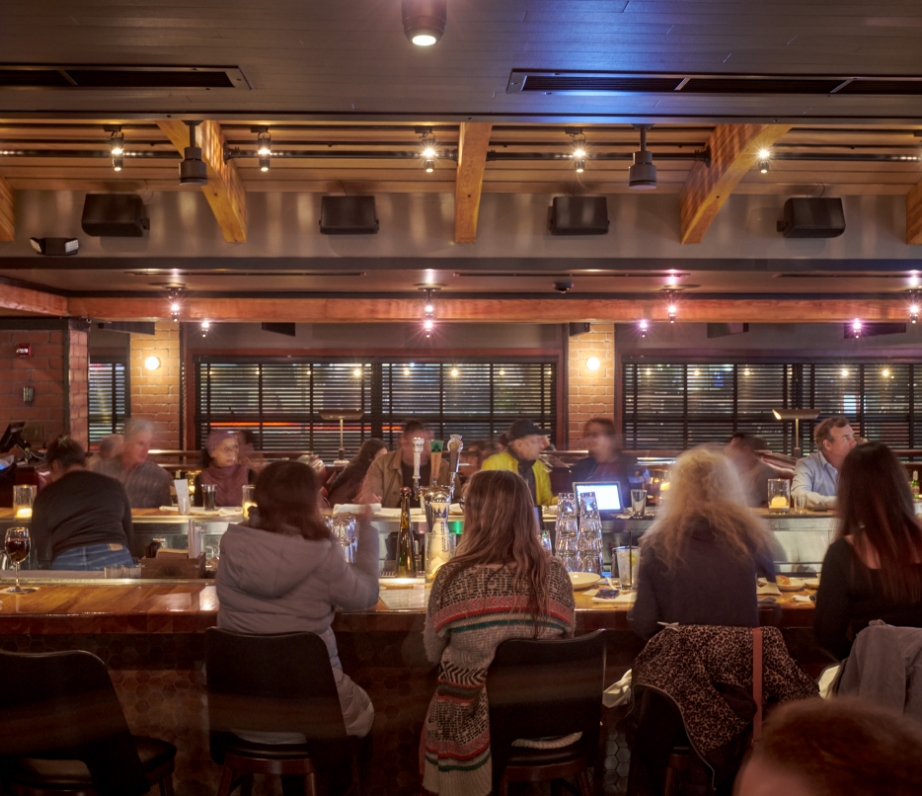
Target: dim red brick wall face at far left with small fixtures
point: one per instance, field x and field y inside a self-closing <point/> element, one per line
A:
<point x="43" y="371"/>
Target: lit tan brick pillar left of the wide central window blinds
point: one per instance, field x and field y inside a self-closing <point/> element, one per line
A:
<point x="155" y="393"/>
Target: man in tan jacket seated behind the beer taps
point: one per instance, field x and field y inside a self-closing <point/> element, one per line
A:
<point x="388" y="474"/>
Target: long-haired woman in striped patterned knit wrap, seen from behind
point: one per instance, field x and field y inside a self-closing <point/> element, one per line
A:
<point x="499" y="585"/>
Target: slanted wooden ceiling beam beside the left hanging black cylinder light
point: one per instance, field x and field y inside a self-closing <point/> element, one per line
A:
<point x="225" y="191"/>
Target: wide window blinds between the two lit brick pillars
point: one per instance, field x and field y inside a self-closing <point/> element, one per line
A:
<point x="279" y="402"/>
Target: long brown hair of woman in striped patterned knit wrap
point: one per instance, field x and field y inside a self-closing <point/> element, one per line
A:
<point x="500" y="528"/>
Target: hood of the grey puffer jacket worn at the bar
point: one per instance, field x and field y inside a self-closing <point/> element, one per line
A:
<point x="269" y="564"/>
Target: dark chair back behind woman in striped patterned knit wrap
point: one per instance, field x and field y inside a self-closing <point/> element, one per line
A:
<point x="541" y="688"/>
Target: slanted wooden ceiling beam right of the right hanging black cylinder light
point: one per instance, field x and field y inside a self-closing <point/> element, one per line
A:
<point x="734" y="151"/>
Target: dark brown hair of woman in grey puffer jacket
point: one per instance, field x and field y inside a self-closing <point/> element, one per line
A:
<point x="287" y="499"/>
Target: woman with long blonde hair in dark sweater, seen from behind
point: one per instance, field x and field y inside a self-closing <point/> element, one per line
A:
<point x="701" y="556"/>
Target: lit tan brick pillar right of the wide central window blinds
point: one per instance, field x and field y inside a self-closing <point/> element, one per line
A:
<point x="590" y="393"/>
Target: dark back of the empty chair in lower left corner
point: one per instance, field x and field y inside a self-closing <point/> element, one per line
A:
<point x="64" y="704"/>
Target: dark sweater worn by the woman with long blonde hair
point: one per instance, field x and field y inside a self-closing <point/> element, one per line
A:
<point x="710" y="586"/>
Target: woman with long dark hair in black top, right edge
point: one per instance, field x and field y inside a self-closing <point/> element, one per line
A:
<point x="873" y="570"/>
